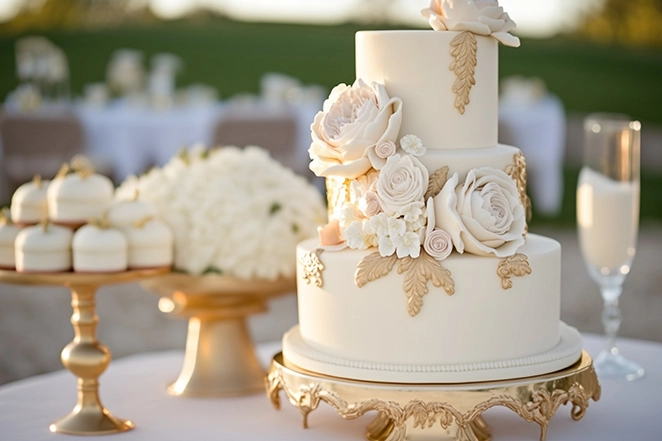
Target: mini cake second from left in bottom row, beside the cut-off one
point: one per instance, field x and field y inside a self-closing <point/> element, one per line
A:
<point x="43" y="248"/>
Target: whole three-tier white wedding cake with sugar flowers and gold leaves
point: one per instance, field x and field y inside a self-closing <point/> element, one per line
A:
<point x="425" y="271"/>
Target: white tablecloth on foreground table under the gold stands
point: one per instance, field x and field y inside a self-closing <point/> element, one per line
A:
<point x="134" y="388"/>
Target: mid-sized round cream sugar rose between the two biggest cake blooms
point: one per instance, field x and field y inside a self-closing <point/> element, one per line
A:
<point x="402" y="181"/>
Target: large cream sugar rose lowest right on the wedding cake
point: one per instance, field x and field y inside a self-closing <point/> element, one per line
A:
<point x="483" y="216"/>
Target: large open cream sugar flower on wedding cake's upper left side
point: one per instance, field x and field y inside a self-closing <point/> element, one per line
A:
<point x="353" y="122"/>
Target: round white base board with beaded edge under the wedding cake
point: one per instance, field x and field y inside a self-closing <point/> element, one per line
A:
<point x="564" y="354"/>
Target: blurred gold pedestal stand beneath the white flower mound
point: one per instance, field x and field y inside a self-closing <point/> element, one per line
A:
<point x="220" y="358"/>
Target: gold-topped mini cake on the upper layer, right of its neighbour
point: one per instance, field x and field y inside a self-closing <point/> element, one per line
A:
<point x="73" y="198"/>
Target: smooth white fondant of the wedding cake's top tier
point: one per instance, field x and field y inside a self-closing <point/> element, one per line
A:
<point x="415" y="67"/>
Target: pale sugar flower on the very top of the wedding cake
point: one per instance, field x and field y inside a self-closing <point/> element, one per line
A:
<point x="482" y="17"/>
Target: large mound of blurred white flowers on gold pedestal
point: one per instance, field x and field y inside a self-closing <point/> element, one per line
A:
<point x="233" y="211"/>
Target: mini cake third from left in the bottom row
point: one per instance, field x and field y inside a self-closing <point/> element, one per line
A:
<point x="99" y="249"/>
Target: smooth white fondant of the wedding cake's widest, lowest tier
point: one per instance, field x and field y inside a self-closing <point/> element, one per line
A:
<point x="480" y="322"/>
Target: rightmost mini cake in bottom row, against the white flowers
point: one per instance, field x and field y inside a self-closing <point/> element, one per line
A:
<point x="150" y="244"/>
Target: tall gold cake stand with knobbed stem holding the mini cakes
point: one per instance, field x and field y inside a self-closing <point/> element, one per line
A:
<point x="85" y="356"/>
